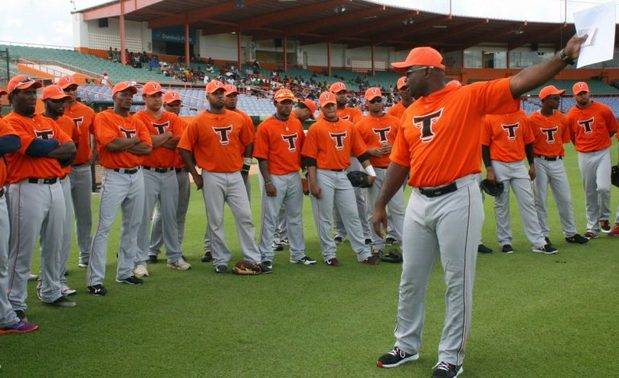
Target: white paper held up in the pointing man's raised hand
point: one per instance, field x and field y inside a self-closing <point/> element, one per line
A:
<point x="598" y="23"/>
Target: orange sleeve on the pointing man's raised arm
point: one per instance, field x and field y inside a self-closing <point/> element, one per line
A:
<point x="494" y="97"/>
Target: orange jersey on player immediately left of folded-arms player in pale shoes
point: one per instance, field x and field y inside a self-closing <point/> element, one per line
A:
<point x="110" y="126"/>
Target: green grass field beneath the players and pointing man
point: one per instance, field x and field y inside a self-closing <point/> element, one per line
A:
<point x="534" y="315"/>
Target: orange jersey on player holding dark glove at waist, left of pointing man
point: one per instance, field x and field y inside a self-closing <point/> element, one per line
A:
<point x="332" y="143"/>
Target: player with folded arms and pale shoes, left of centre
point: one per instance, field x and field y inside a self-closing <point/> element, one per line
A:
<point x="160" y="182"/>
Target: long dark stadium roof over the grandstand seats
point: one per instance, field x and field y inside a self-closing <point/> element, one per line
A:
<point x="353" y="22"/>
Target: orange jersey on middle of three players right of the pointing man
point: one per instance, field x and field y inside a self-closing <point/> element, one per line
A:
<point x="550" y="133"/>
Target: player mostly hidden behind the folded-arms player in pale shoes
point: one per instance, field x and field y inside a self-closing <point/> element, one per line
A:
<point x="172" y="103"/>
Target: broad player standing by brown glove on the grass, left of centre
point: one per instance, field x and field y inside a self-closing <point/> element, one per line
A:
<point x="216" y="139"/>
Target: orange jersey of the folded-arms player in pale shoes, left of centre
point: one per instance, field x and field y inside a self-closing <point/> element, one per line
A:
<point x="161" y="157"/>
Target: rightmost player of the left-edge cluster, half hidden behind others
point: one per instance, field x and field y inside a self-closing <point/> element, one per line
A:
<point x="81" y="173"/>
